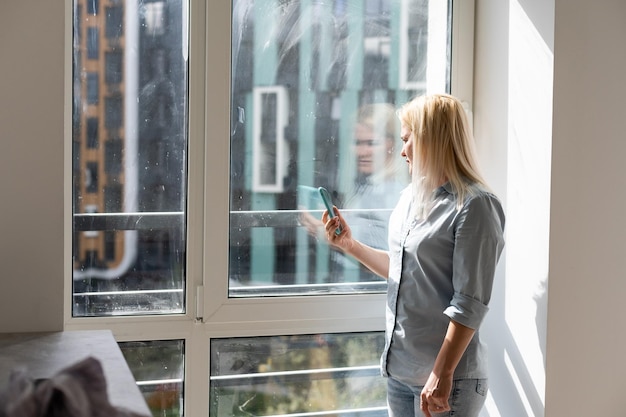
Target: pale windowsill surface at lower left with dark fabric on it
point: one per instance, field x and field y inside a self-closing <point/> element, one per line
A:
<point x="43" y="355"/>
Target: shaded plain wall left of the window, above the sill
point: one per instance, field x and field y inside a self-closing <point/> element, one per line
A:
<point x="31" y="159"/>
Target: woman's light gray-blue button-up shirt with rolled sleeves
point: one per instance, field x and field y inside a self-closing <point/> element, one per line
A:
<point x="440" y="268"/>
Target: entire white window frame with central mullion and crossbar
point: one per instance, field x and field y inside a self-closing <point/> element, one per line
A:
<point x="210" y="312"/>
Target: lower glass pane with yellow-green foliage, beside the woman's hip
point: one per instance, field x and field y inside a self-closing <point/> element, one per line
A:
<point x="323" y="374"/>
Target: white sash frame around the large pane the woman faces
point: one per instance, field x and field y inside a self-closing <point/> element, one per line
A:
<point x="343" y="311"/>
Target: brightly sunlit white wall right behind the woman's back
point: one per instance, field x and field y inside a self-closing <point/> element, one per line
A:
<point x="513" y="111"/>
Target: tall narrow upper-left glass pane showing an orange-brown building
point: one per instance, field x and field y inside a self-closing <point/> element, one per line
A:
<point x="129" y="157"/>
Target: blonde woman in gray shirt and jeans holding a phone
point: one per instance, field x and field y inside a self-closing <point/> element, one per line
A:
<point x="445" y="239"/>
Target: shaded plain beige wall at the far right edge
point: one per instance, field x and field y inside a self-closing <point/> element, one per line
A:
<point x="586" y="340"/>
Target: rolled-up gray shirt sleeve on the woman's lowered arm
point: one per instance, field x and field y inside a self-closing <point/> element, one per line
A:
<point x="479" y="241"/>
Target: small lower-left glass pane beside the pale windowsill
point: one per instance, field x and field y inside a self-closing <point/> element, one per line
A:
<point x="159" y="369"/>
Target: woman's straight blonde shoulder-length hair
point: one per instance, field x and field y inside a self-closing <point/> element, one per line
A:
<point x="443" y="149"/>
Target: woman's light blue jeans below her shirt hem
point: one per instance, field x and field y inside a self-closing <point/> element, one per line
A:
<point x="466" y="398"/>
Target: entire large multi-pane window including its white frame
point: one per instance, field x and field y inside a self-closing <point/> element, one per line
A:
<point x="191" y="194"/>
